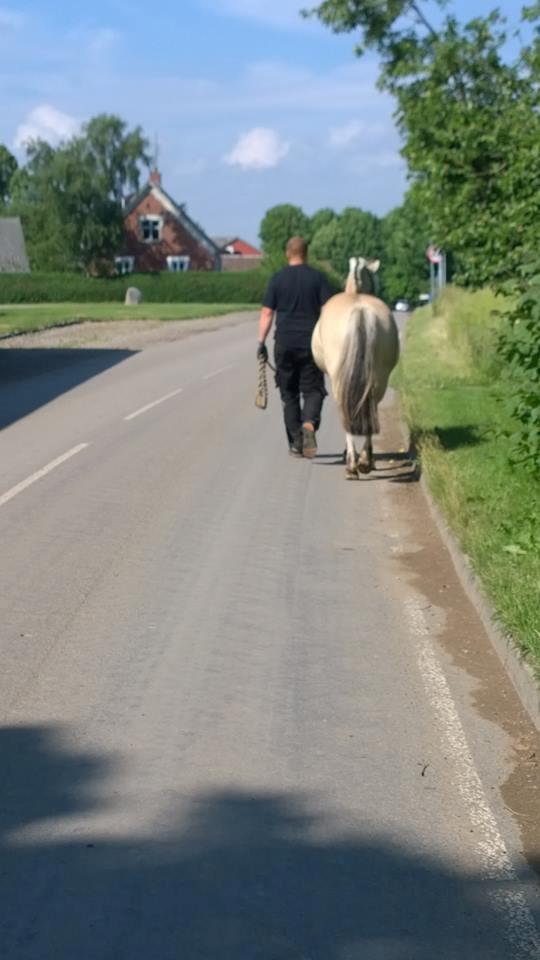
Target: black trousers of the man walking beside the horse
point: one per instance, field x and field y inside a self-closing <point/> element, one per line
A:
<point x="301" y="385"/>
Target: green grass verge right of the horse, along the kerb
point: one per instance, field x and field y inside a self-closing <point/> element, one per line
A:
<point x="450" y="385"/>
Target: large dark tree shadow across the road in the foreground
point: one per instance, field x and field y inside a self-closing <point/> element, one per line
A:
<point x="227" y="875"/>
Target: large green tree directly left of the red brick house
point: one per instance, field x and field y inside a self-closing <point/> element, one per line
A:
<point x="69" y="197"/>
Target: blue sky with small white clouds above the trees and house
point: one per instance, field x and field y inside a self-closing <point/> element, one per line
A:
<point x="252" y="105"/>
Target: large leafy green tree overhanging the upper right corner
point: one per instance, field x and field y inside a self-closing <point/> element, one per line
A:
<point x="470" y="123"/>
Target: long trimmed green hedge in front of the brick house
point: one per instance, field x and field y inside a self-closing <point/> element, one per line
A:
<point x="190" y="287"/>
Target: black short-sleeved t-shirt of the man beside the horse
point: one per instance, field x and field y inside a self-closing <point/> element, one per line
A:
<point x="297" y="295"/>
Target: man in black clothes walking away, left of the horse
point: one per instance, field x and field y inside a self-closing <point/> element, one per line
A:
<point x="295" y="296"/>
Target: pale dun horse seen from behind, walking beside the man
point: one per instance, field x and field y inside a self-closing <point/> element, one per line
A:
<point x="356" y="343"/>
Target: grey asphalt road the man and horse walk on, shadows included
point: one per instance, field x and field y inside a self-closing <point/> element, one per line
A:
<point x="229" y="729"/>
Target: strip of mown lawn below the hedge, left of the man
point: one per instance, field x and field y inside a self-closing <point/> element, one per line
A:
<point x="28" y="318"/>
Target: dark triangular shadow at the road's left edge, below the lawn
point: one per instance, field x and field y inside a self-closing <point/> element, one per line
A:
<point x="32" y="377"/>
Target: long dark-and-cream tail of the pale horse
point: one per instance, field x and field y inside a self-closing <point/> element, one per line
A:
<point x="353" y="381"/>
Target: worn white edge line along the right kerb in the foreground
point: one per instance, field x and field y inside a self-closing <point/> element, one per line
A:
<point x="511" y="904"/>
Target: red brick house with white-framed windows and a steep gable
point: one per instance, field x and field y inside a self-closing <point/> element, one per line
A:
<point x="159" y="235"/>
